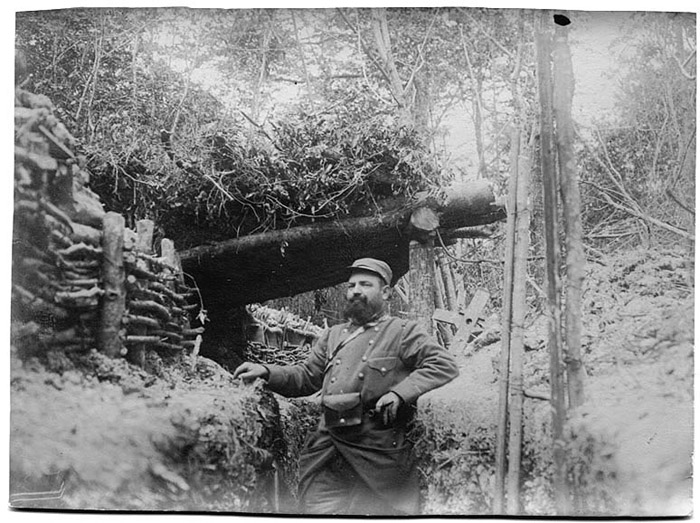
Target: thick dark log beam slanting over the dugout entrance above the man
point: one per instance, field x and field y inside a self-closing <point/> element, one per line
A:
<point x="281" y="263"/>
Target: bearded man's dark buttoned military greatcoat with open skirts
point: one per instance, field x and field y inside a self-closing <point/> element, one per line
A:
<point x="387" y="355"/>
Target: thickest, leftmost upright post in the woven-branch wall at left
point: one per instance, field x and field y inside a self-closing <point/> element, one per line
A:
<point x="109" y="336"/>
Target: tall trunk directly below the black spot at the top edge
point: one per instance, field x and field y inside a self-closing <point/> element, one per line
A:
<point x="571" y="201"/>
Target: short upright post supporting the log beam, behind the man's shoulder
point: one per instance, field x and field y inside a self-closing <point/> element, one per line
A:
<point x="422" y="281"/>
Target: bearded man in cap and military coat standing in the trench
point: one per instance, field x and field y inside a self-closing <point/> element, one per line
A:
<point x="370" y="371"/>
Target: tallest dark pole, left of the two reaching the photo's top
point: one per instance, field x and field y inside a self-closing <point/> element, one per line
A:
<point x="551" y="229"/>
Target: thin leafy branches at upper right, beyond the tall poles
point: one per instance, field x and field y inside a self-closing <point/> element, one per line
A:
<point x="644" y="159"/>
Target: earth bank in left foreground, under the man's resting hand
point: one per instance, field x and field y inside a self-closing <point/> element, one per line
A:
<point x="97" y="433"/>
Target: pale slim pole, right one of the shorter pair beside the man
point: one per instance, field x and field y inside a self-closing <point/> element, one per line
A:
<point x="517" y="327"/>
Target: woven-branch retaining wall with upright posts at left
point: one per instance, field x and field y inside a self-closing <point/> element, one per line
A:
<point x="80" y="278"/>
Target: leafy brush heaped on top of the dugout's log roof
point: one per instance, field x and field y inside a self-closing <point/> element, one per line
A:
<point x="315" y="168"/>
